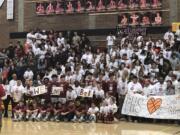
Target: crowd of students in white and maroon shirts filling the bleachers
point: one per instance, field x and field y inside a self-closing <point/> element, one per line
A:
<point x="143" y="66"/>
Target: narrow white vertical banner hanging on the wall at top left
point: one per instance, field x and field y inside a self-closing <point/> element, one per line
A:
<point x="10" y="9"/>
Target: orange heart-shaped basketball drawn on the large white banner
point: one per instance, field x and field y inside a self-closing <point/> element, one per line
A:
<point x="154" y="104"/>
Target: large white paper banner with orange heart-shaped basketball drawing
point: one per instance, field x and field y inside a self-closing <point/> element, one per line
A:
<point x="156" y="107"/>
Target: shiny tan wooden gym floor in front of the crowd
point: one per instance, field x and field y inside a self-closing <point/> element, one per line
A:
<point x="118" y="128"/>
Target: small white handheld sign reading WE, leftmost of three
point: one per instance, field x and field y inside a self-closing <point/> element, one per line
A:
<point x="39" y="90"/>
